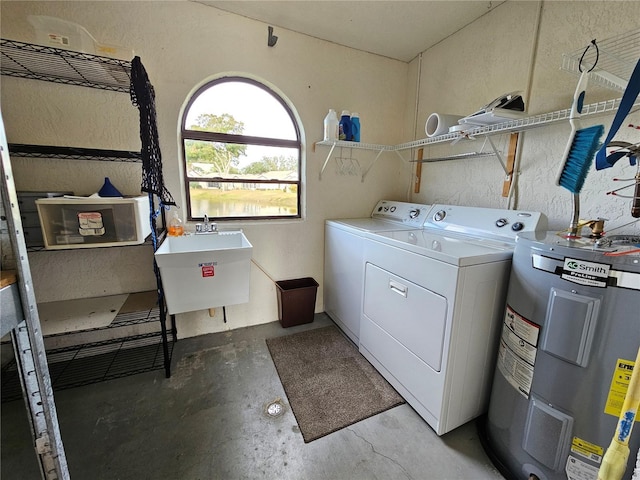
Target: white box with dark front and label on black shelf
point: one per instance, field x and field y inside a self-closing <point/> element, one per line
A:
<point x="90" y="222"/>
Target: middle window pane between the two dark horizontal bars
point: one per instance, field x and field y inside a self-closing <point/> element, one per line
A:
<point x="234" y="161"/>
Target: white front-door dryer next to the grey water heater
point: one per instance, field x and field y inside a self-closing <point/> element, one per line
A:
<point x="433" y="302"/>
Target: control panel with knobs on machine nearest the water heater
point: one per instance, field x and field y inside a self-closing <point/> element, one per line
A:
<point x="485" y="222"/>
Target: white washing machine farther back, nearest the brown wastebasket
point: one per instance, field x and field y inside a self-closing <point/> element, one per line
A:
<point x="344" y="261"/>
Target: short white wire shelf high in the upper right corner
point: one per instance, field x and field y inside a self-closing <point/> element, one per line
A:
<point x="614" y="60"/>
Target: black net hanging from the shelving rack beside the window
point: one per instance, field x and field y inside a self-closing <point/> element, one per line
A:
<point x="143" y="97"/>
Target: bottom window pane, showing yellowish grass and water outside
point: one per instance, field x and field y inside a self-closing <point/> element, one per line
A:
<point x="224" y="199"/>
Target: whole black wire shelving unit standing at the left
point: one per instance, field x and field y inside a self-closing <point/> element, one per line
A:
<point x="134" y="342"/>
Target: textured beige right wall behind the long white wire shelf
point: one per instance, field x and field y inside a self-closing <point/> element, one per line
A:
<point x="498" y="54"/>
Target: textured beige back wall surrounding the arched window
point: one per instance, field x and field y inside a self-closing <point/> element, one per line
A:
<point x="181" y="44"/>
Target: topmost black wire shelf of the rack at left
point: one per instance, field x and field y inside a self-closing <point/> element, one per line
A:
<point x="39" y="62"/>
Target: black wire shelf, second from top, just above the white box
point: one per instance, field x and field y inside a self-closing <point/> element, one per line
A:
<point x="72" y="153"/>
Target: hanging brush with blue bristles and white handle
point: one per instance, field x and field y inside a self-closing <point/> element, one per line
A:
<point x="579" y="152"/>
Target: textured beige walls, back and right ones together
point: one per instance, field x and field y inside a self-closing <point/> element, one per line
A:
<point x="182" y="44"/>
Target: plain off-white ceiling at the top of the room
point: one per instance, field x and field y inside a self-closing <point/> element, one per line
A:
<point x="395" y="29"/>
